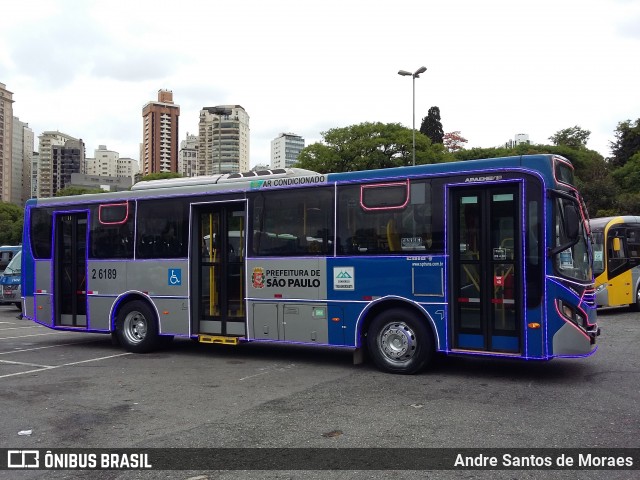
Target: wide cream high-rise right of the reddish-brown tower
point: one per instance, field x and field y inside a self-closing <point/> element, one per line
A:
<point x="223" y="140"/>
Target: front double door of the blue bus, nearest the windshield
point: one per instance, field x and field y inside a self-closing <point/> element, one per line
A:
<point x="485" y="269"/>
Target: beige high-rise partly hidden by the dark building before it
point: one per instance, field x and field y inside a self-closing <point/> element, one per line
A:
<point x="59" y="155"/>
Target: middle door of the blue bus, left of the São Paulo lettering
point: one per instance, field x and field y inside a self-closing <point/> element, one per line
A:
<point x="219" y="282"/>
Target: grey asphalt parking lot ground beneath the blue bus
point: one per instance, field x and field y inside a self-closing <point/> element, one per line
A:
<point x="75" y="390"/>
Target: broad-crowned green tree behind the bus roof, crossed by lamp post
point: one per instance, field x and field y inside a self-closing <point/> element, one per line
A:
<point x="368" y="146"/>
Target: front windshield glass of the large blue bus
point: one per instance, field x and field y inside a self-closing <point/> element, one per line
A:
<point x="573" y="261"/>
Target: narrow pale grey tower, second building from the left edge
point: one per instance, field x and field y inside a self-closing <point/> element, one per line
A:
<point x="21" y="158"/>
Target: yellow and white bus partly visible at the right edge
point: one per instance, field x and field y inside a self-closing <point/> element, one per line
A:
<point x="616" y="260"/>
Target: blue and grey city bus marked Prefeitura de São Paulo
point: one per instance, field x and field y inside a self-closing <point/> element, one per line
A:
<point x="483" y="257"/>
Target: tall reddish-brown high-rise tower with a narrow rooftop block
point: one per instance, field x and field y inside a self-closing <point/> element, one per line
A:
<point x="159" y="151"/>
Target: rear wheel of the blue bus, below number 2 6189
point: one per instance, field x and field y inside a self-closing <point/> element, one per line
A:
<point x="137" y="327"/>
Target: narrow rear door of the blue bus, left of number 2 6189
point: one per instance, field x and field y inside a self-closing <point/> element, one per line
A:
<point x="70" y="269"/>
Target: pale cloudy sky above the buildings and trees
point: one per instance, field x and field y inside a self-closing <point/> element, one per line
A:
<point x="495" y="68"/>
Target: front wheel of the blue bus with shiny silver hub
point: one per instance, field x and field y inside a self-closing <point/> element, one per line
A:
<point x="400" y="342"/>
